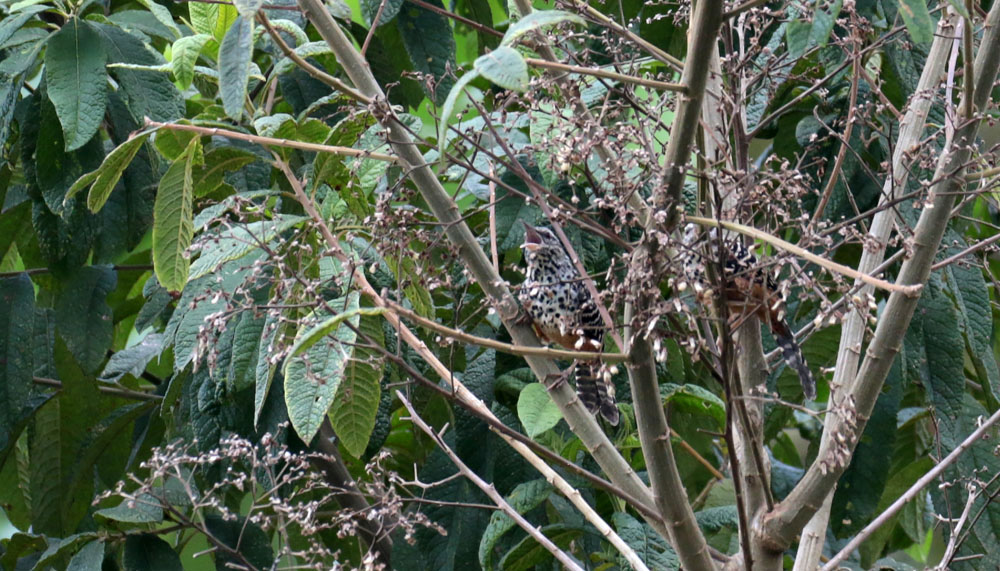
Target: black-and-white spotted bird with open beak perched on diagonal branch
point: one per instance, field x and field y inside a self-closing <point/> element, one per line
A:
<point x="562" y="311"/>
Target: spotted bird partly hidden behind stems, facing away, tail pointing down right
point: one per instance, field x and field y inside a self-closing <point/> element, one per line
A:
<point x="748" y="290"/>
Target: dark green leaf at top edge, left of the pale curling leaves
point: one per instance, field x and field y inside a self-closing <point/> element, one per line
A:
<point x="430" y="42"/>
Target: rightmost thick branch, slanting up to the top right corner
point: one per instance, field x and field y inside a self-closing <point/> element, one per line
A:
<point x="852" y="412"/>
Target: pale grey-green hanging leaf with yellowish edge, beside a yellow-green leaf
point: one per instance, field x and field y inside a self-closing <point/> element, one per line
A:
<point x="313" y="376"/>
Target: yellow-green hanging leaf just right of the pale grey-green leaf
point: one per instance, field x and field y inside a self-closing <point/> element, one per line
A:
<point x="356" y="404"/>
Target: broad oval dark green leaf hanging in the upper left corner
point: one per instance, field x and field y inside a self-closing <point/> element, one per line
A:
<point x="77" y="80"/>
